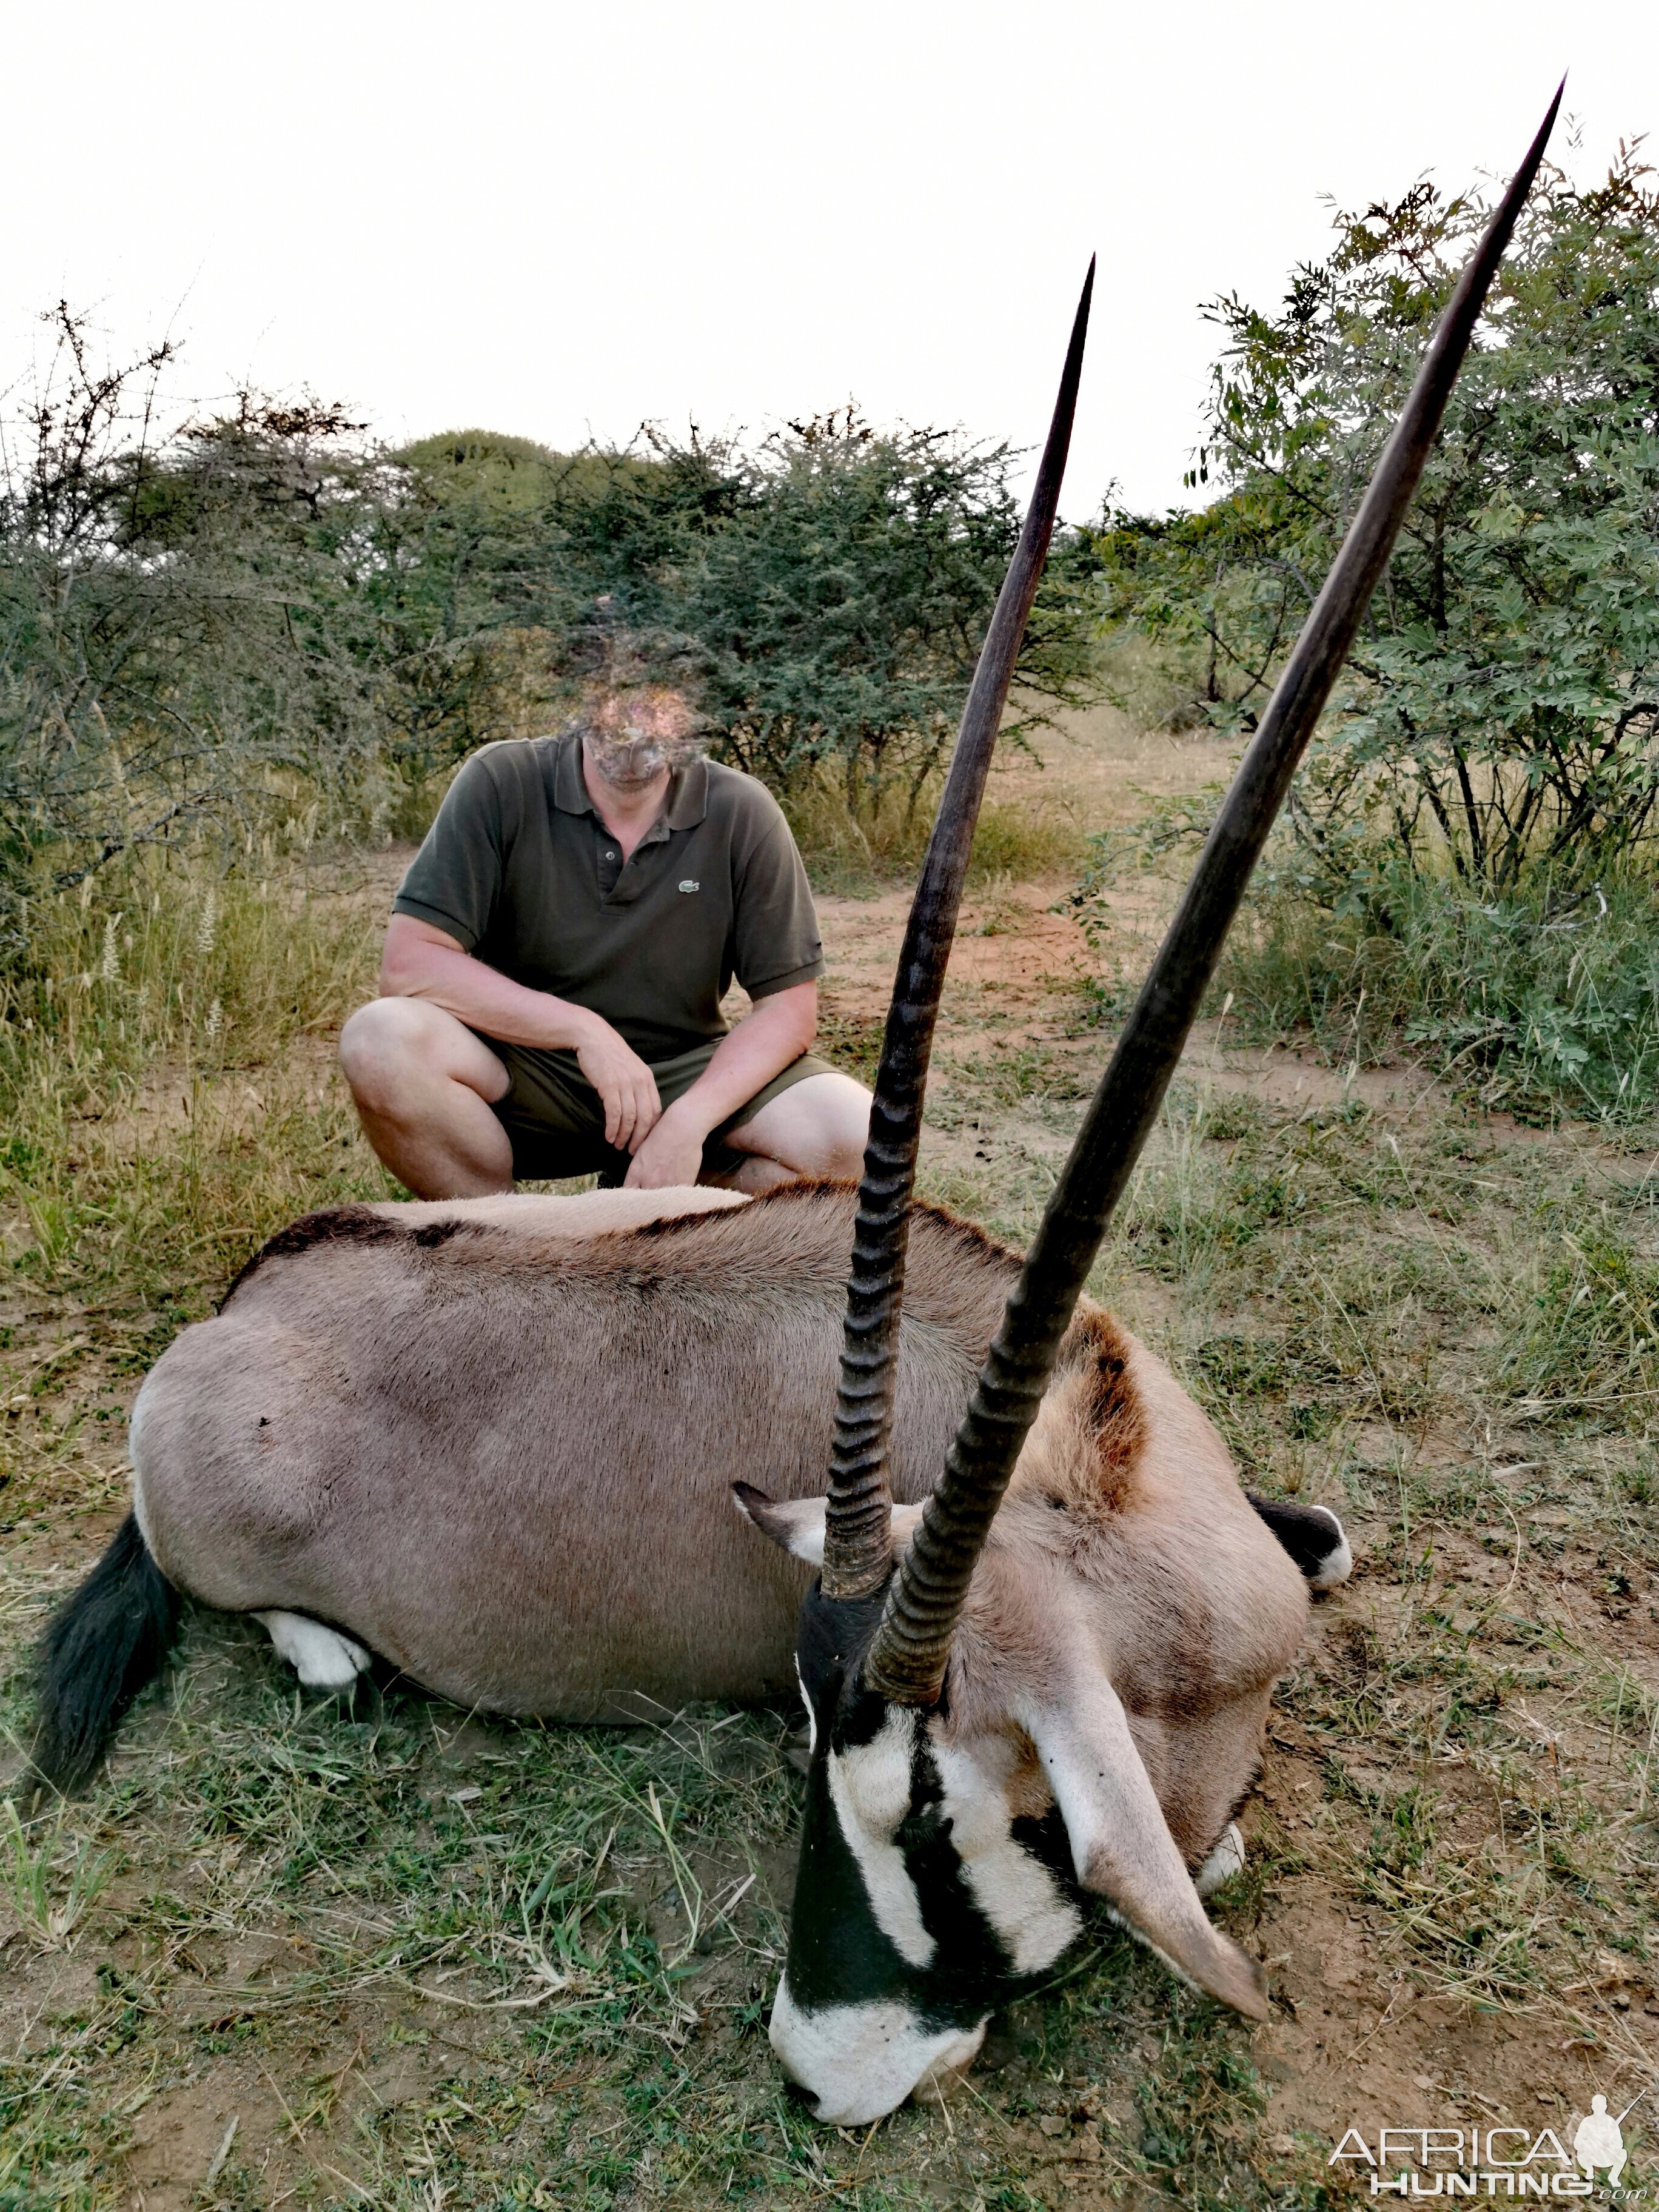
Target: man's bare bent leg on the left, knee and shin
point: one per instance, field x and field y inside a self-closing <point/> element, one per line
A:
<point x="424" y="1087"/>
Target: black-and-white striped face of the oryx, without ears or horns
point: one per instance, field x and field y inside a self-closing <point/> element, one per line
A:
<point x="921" y="1903"/>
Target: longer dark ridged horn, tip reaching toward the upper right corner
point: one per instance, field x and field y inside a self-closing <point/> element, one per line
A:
<point x="915" y="1638"/>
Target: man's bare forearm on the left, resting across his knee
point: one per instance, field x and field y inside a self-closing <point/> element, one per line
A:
<point x="421" y="961"/>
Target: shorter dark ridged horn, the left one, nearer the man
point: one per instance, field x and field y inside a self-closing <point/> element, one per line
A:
<point x="857" y="1554"/>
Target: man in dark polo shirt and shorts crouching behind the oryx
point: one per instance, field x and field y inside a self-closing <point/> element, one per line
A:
<point x="556" y="961"/>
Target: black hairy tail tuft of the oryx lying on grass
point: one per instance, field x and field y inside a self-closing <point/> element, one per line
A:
<point x="98" y="1653"/>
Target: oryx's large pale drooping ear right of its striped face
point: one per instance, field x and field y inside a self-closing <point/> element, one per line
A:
<point x="1123" y="1846"/>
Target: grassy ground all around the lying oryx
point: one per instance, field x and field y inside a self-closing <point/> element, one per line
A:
<point x="435" y="1961"/>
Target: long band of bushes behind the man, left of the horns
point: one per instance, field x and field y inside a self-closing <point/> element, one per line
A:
<point x="262" y="618"/>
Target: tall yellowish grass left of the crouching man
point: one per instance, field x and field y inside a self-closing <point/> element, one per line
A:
<point x="165" y="1085"/>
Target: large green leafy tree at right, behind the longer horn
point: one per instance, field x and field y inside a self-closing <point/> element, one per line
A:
<point x="1503" y="705"/>
